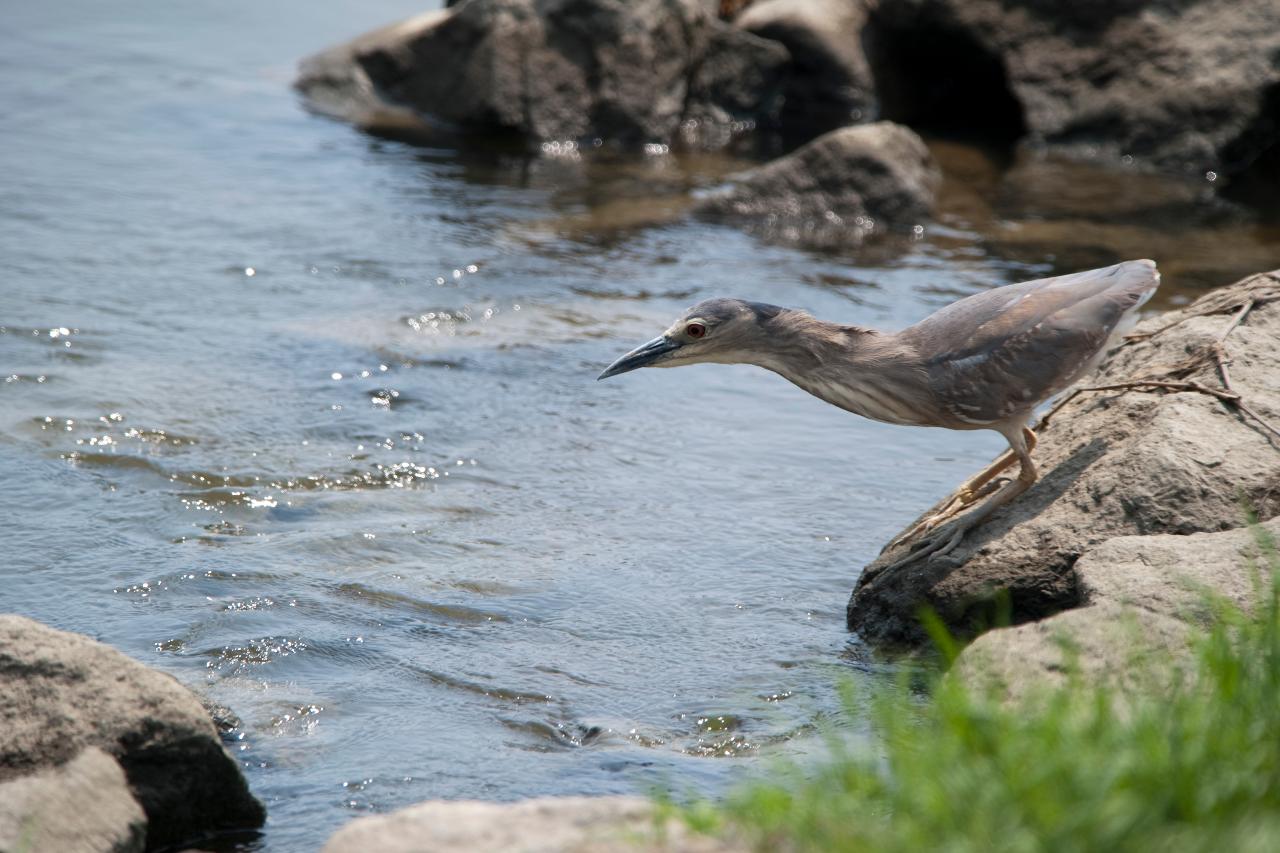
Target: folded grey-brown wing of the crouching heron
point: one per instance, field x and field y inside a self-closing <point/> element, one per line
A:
<point x="999" y="354"/>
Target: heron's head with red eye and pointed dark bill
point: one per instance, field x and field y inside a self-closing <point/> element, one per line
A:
<point x="719" y="331"/>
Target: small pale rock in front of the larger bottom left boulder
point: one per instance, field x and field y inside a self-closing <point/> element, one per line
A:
<point x="84" y="806"/>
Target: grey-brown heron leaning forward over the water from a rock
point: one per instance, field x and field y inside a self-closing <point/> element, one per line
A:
<point x="985" y="362"/>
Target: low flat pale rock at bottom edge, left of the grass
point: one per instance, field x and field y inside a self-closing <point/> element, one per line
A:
<point x="546" y="825"/>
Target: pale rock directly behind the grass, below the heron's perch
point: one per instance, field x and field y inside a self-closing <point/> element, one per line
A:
<point x="1144" y="596"/>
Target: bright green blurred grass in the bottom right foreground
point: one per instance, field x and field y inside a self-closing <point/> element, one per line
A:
<point x="1195" y="767"/>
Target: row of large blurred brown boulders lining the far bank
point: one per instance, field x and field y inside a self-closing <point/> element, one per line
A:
<point x="1187" y="88"/>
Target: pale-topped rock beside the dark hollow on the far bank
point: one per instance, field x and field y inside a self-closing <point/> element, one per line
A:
<point x="829" y="81"/>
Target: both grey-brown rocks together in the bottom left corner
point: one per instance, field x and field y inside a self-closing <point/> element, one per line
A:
<point x="99" y="752"/>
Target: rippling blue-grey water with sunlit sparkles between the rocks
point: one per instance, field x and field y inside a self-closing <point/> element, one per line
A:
<point x="310" y="419"/>
